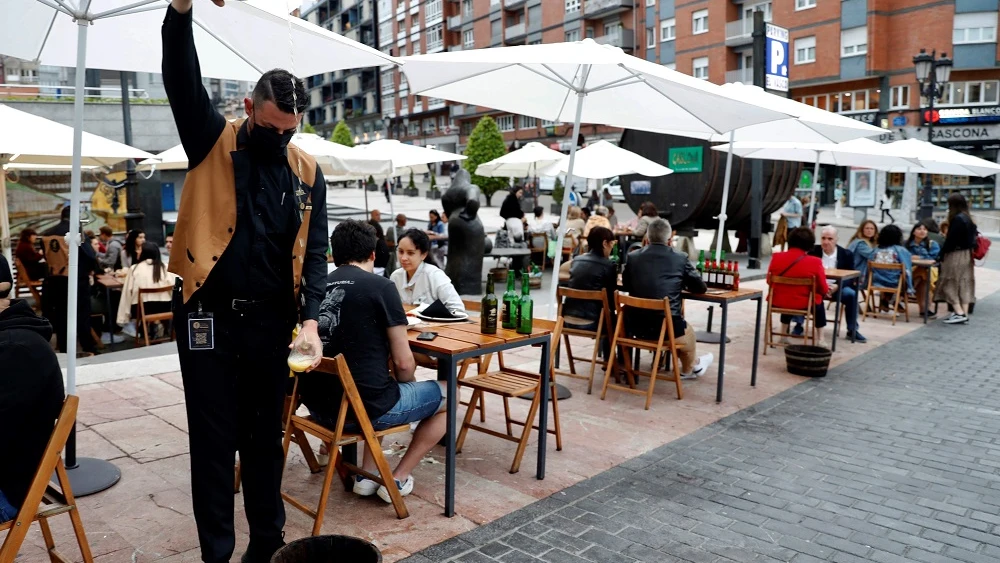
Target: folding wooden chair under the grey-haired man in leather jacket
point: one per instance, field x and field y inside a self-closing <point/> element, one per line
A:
<point x="664" y="343"/>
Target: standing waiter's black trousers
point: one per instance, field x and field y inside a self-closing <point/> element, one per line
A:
<point x="234" y="396"/>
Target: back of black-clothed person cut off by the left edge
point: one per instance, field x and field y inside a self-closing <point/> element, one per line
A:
<point x="31" y="393"/>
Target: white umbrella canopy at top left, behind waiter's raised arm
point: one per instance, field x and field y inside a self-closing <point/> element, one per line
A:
<point x="229" y="40"/>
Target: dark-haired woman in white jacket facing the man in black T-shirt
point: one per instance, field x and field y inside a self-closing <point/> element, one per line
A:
<point x="419" y="280"/>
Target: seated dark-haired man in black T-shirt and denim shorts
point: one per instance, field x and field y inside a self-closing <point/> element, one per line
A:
<point x="363" y="318"/>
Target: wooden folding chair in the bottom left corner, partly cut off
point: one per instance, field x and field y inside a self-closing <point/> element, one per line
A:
<point x="53" y="501"/>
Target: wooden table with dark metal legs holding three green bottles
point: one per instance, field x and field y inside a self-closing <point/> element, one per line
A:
<point x="458" y="341"/>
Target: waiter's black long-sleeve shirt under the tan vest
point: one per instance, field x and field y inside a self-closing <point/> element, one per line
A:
<point x="257" y="263"/>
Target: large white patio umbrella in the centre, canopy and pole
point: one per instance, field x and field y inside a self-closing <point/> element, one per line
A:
<point x="609" y="87"/>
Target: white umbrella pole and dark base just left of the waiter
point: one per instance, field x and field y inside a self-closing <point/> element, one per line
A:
<point x="87" y="475"/>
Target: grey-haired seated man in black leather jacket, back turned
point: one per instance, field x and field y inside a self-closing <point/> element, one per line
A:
<point x="655" y="272"/>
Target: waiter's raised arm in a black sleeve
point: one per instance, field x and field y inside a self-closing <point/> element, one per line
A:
<point x="198" y="122"/>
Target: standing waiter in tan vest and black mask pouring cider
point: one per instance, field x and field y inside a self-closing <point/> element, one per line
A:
<point x="251" y="233"/>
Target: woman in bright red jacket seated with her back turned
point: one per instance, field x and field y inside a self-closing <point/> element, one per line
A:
<point x="796" y="263"/>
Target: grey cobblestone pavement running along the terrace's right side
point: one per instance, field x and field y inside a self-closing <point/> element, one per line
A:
<point x="893" y="457"/>
